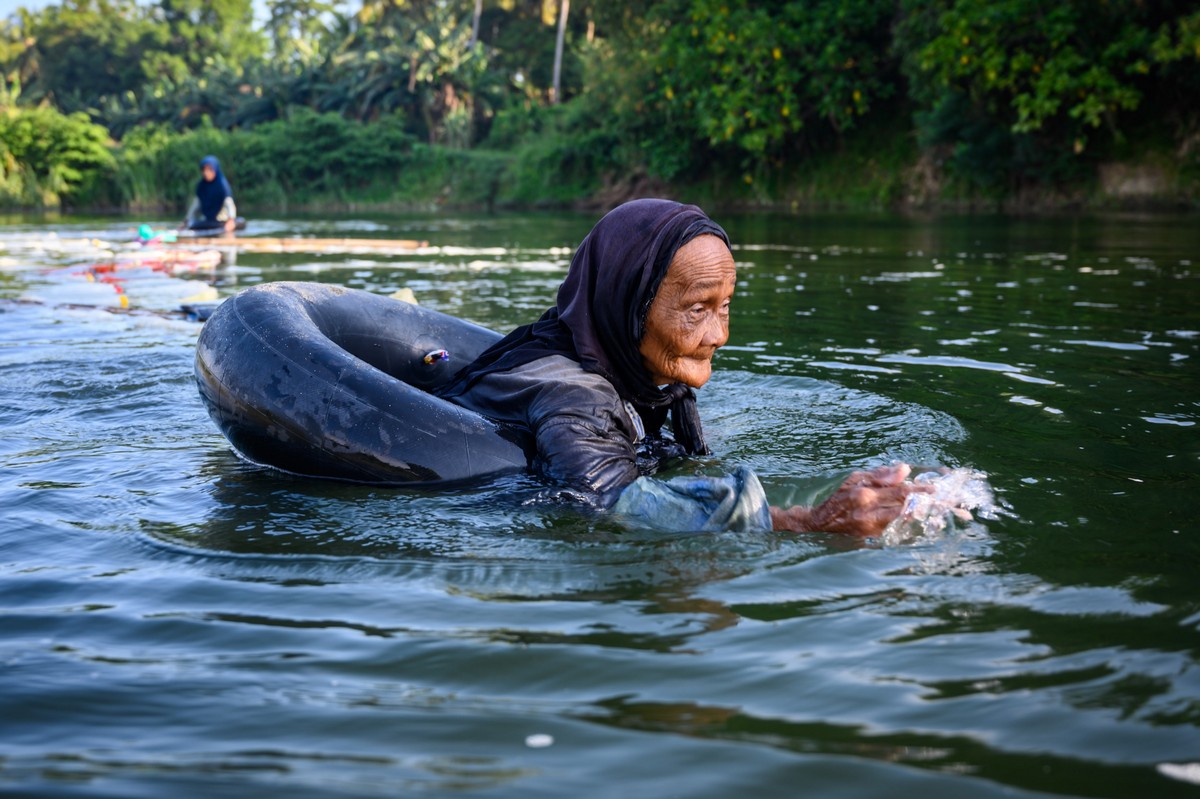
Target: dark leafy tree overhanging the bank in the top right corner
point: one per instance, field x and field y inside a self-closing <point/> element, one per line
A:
<point x="1021" y="91"/>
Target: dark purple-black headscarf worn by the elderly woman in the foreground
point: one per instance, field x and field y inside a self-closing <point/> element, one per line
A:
<point x="601" y="314"/>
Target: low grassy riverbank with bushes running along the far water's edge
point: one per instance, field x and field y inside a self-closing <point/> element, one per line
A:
<point x="325" y="163"/>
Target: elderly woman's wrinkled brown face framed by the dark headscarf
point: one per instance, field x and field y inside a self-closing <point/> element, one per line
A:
<point x="689" y="319"/>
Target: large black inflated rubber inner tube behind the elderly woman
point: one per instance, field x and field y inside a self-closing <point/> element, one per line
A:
<point x="329" y="382"/>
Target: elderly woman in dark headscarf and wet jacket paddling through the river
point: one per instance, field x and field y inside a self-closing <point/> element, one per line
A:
<point x="645" y="307"/>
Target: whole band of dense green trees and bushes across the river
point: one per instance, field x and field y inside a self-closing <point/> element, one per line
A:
<point x="111" y="103"/>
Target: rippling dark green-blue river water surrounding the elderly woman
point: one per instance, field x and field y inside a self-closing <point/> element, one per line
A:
<point x="179" y="623"/>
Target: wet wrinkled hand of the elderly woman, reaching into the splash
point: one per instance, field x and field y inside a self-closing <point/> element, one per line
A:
<point x="863" y="506"/>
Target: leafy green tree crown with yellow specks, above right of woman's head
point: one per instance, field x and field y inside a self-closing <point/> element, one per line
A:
<point x="749" y="77"/>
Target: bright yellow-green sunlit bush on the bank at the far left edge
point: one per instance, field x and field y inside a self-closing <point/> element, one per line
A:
<point x="47" y="159"/>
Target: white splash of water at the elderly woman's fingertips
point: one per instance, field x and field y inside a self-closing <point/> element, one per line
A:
<point x="958" y="496"/>
